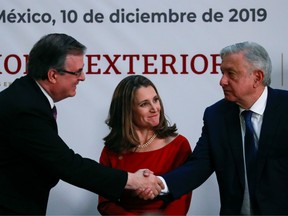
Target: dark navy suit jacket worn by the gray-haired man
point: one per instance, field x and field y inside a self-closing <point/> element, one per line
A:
<point x="219" y="149"/>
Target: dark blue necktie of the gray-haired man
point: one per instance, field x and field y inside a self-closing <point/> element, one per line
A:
<point x="250" y="154"/>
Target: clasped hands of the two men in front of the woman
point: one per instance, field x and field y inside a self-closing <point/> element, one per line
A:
<point x="145" y="183"/>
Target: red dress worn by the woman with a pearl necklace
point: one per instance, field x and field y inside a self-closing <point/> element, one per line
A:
<point x="160" y="161"/>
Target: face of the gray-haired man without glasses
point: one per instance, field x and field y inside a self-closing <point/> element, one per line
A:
<point x="238" y="79"/>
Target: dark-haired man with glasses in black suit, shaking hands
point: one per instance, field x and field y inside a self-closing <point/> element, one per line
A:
<point x="32" y="155"/>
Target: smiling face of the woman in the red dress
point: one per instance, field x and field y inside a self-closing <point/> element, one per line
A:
<point x="146" y="108"/>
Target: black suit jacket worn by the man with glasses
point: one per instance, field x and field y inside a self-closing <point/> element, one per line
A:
<point x="33" y="157"/>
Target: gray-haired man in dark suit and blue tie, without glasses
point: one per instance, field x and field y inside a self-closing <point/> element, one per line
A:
<point x="246" y="69"/>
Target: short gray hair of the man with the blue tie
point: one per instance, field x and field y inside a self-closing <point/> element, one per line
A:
<point x="255" y="54"/>
